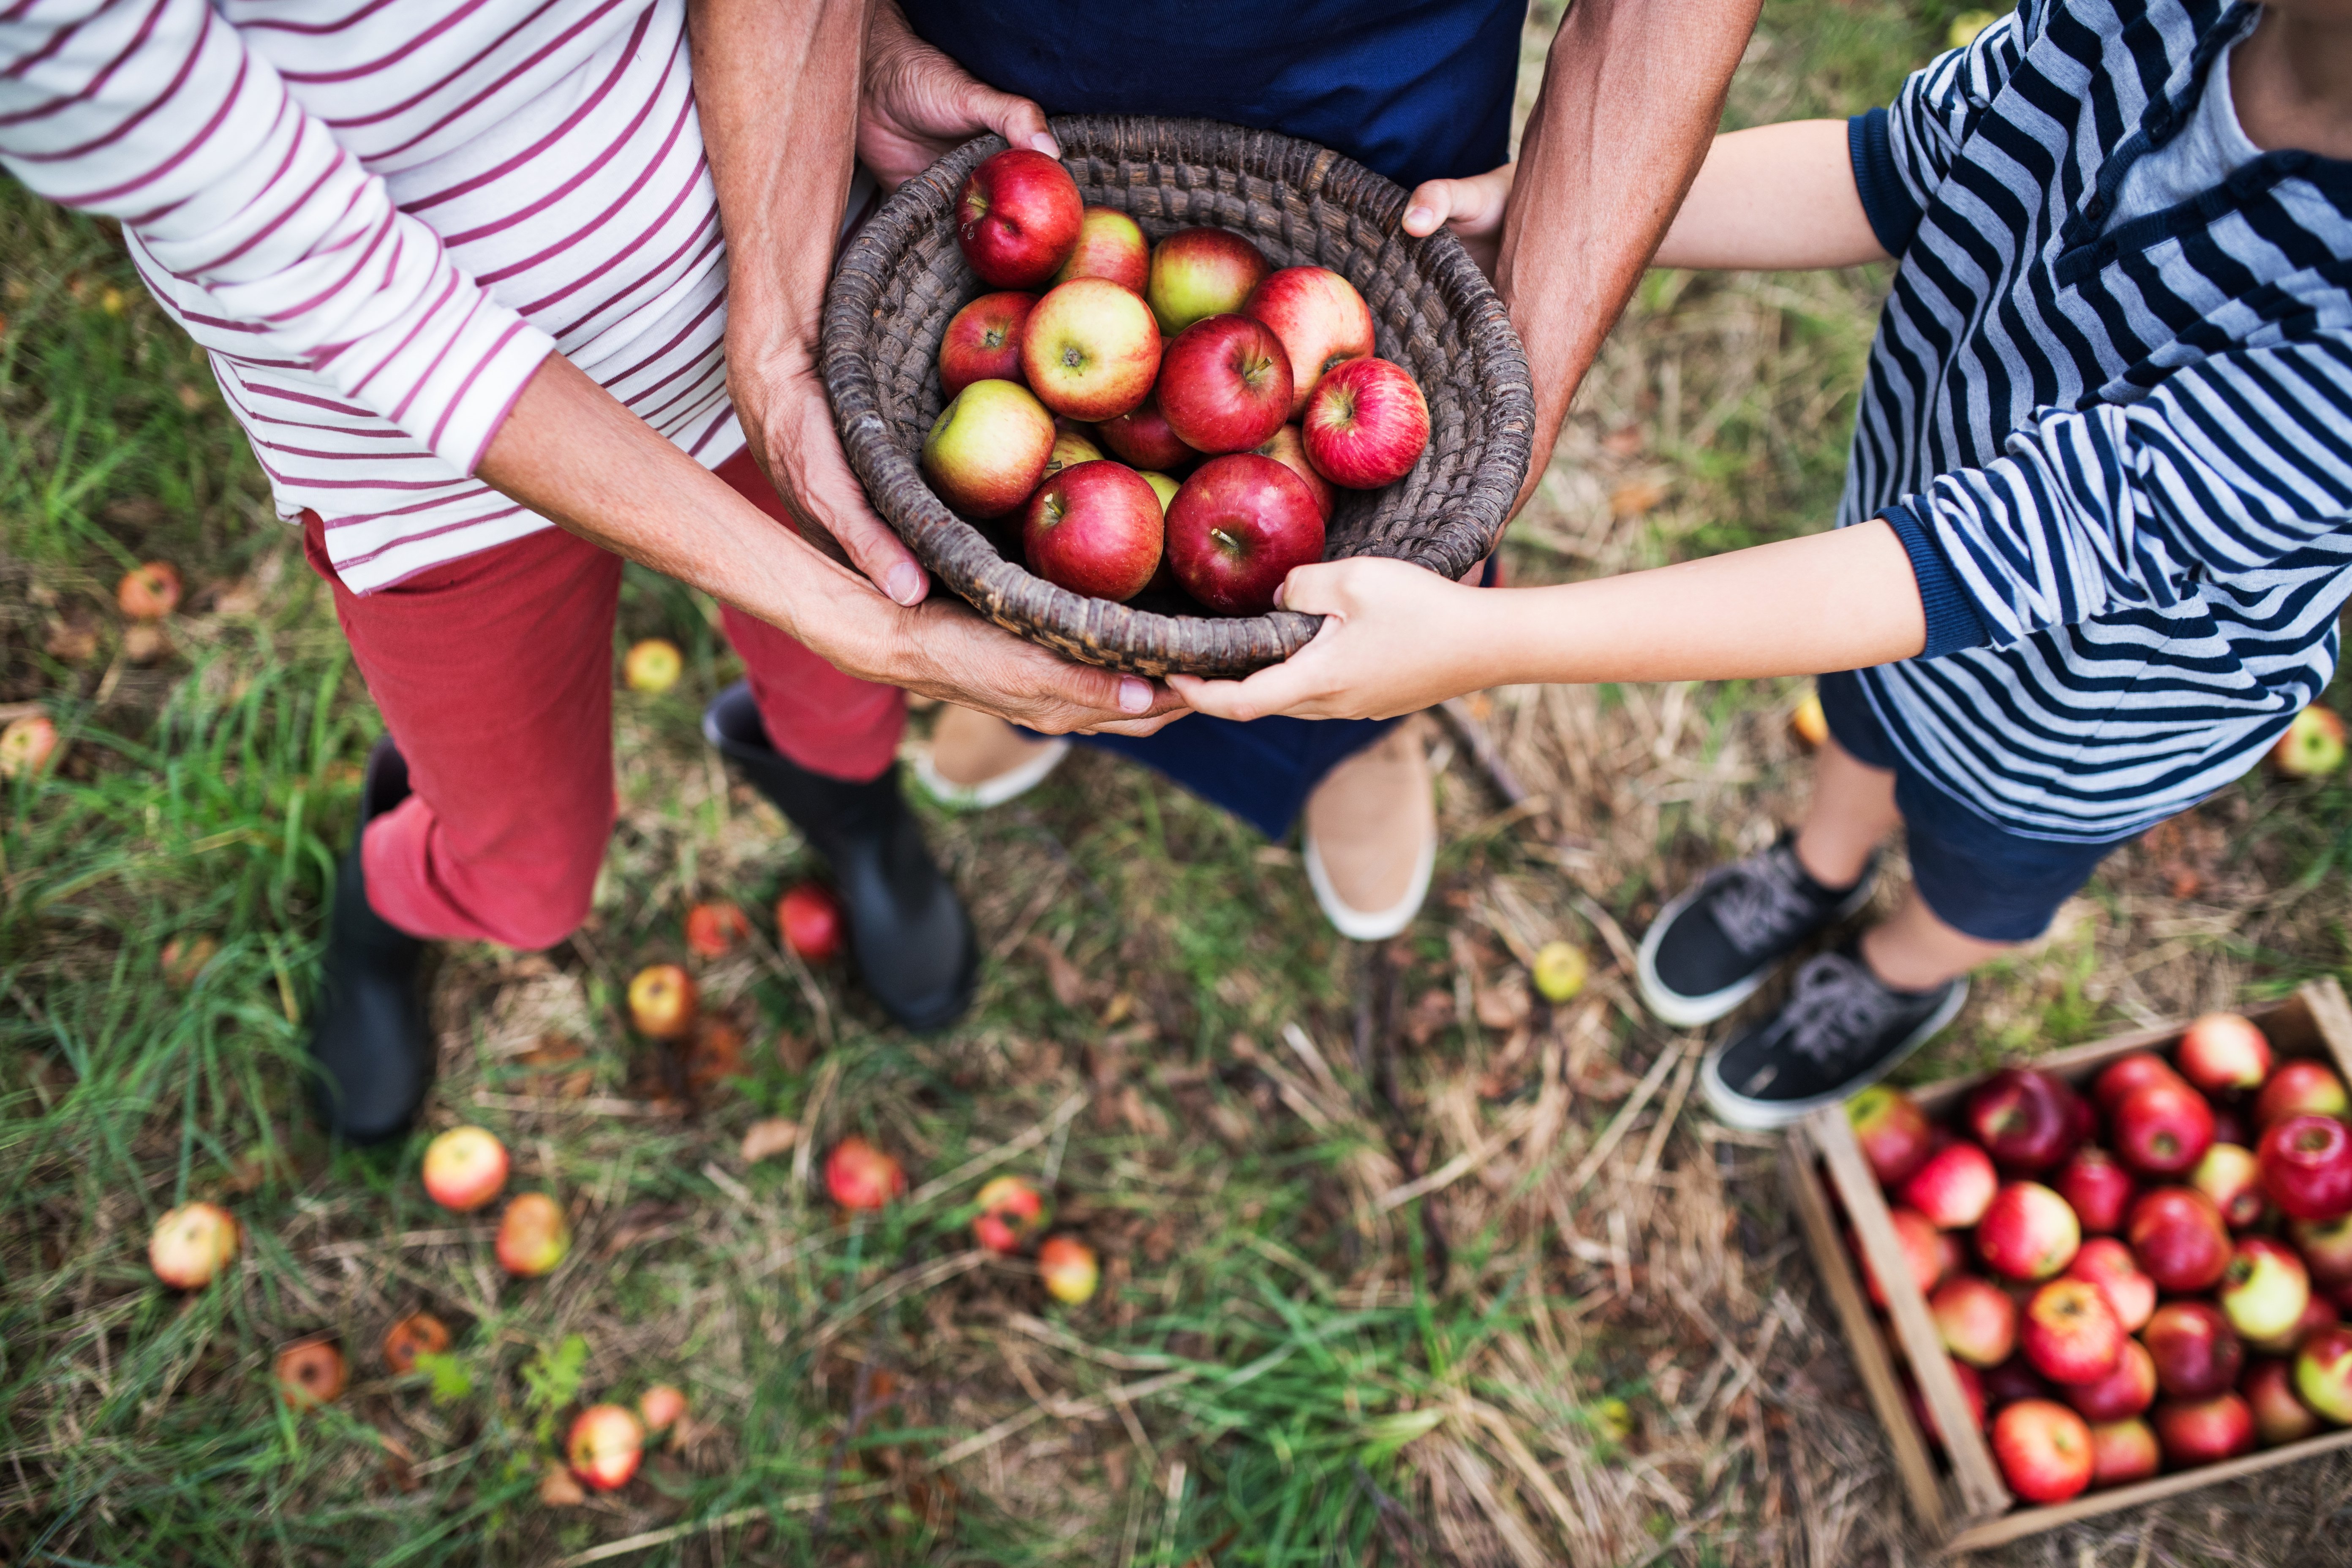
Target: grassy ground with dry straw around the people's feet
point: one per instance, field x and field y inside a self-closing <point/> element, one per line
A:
<point x="1593" y="1346"/>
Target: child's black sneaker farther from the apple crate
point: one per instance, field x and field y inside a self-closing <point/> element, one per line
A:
<point x="1713" y="946"/>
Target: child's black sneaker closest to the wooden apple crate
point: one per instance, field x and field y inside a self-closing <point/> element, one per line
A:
<point x="1838" y="1033"/>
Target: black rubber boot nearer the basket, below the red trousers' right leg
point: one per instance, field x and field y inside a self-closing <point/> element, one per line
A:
<point x="909" y="932"/>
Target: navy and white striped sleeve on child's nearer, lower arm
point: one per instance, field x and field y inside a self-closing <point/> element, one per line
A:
<point x="2233" y="467"/>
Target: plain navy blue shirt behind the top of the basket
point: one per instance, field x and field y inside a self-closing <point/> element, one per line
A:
<point x="1410" y="88"/>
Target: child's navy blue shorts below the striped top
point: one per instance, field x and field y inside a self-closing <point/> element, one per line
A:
<point x="1977" y="878"/>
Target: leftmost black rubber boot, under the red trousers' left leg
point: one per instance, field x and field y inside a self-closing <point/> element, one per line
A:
<point x="373" y="1047"/>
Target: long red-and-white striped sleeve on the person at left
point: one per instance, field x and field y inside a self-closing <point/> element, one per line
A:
<point x="156" y="114"/>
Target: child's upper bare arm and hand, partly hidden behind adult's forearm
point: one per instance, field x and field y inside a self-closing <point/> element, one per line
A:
<point x="1772" y="199"/>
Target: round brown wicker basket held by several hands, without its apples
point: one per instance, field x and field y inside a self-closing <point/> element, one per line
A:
<point x="904" y="279"/>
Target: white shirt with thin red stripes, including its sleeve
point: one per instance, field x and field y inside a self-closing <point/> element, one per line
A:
<point x="382" y="215"/>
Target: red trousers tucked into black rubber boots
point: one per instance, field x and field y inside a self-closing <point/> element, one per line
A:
<point x="495" y="678"/>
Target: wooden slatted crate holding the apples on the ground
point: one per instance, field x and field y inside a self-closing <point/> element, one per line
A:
<point x="1965" y="1506"/>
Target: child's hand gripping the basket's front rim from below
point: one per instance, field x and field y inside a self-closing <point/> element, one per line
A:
<point x="1396" y="638"/>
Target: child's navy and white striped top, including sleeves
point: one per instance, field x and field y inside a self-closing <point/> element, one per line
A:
<point x="2118" y="455"/>
